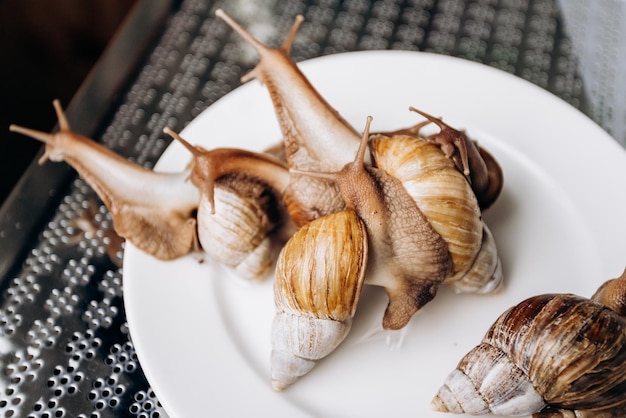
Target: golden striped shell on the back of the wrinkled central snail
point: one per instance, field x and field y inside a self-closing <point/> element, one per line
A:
<point x="447" y="200"/>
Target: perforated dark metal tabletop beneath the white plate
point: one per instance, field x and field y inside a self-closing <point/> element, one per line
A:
<point x="65" y="350"/>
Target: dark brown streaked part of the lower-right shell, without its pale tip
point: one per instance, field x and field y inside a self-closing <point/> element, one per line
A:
<point x="572" y="349"/>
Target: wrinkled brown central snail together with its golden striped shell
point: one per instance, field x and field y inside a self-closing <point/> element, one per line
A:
<point x="422" y="219"/>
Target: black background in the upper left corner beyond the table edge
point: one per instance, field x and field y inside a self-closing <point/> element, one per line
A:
<point x="47" y="48"/>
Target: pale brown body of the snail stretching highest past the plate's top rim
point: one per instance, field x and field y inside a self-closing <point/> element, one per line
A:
<point x="316" y="137"/>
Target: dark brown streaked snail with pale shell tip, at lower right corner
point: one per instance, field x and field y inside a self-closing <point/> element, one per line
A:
<point x="552" y="355"/>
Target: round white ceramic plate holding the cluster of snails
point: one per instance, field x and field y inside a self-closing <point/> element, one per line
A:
<point x="202" y="335"/>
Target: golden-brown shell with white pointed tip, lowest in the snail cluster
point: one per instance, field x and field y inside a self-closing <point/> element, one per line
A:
<point x="316" y="293"/>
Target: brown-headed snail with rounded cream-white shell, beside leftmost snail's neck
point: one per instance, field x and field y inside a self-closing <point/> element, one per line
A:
<point x="240" y="214"/>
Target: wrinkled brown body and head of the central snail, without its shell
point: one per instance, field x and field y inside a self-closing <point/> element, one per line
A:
<point x="407" y="257"/>
